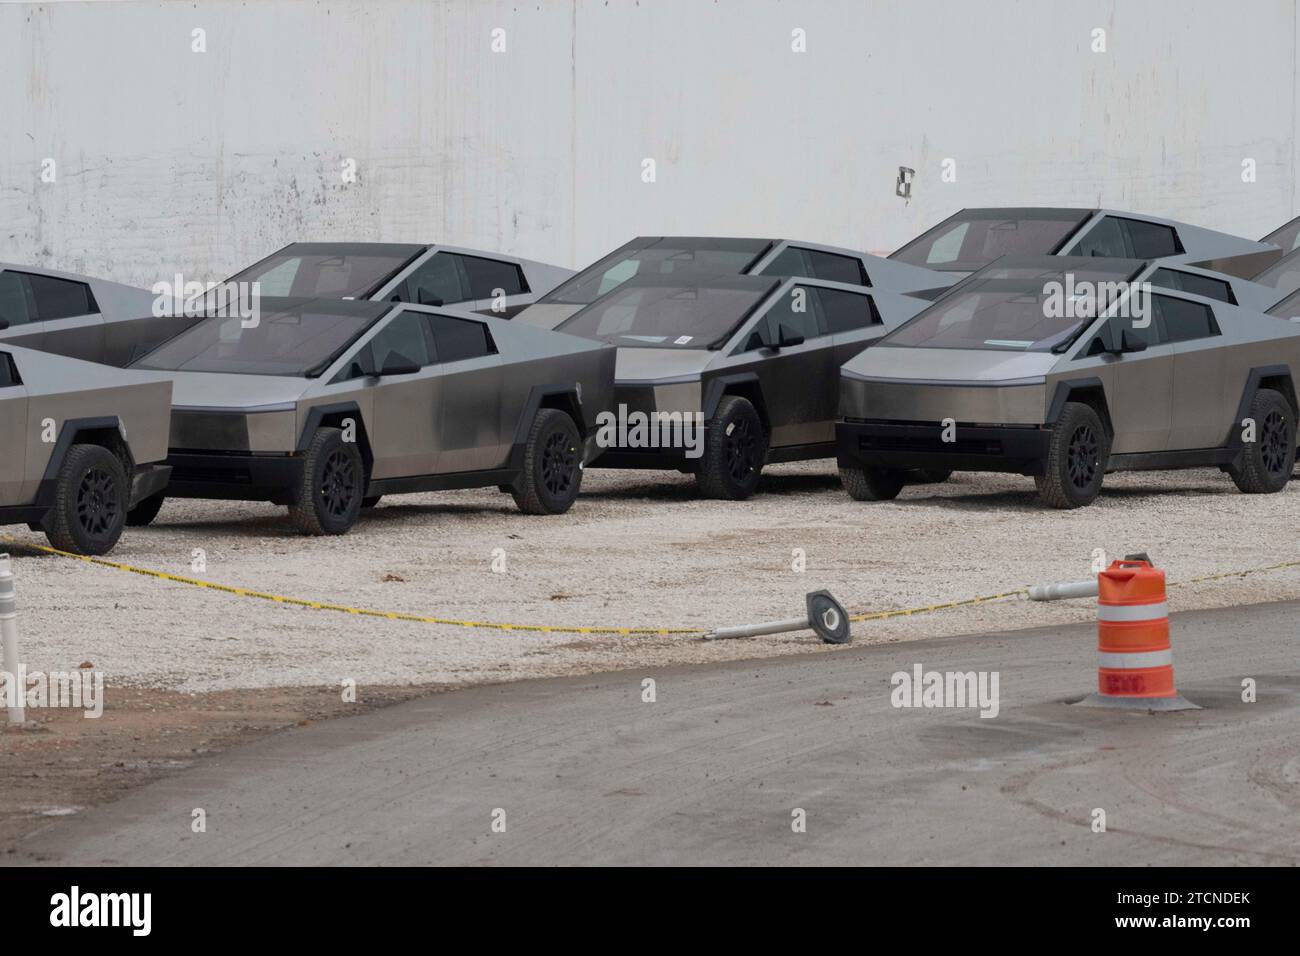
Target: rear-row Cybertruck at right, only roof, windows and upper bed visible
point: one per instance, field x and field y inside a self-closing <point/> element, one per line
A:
<point x="973" y="239"/>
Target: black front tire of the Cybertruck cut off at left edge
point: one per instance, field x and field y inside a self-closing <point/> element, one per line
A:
<point x="92" y="495"/>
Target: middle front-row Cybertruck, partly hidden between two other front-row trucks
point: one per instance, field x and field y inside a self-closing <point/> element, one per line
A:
<point x="718" y="375"/>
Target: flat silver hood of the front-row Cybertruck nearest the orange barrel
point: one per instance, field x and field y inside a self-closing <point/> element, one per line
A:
<point x="950" y="365"/>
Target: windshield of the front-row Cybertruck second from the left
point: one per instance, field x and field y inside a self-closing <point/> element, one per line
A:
<point x="293" y="341"/>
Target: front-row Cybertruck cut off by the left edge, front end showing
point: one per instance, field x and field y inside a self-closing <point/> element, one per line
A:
<point x="81" y="444"/>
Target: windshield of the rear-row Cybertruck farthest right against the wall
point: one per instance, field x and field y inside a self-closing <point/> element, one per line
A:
<point x="973" y="241"/>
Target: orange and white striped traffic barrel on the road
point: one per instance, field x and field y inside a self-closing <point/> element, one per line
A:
<point x="1137" y="667"/>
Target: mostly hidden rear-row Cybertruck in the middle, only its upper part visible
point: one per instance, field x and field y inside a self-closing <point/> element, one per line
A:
<point x="687" y="257"/>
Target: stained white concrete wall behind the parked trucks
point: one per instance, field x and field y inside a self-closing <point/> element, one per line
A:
<point x="171" y="161"/>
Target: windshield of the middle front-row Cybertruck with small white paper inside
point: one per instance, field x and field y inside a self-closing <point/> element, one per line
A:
<point x="668" y="317"/>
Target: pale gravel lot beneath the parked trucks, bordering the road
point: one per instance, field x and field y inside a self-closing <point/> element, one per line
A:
<point x="640" y="550"/>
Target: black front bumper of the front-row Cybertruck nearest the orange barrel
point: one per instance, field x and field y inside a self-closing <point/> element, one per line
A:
<point x="1016" y="449"/>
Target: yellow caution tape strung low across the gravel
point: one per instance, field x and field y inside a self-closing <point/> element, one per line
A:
<point x="553" y="629"/>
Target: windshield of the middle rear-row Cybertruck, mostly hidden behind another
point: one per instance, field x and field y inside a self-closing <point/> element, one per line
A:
<point x="681" y="258"/>
